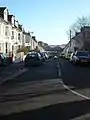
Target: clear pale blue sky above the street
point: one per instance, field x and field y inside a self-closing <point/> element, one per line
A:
<point x="48" y="19"/>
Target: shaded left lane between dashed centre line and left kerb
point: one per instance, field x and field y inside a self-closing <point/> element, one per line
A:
<point x="47" y="71"/>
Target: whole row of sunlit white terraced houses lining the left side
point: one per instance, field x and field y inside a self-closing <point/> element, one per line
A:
<point x="13" y="35"/>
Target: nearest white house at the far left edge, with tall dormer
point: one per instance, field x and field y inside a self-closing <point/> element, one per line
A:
<point x="5" y="31"/>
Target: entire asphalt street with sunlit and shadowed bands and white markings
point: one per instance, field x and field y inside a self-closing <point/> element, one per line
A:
<point x="56" y="90"/>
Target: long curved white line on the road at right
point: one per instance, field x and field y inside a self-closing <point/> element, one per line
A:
<point x="73" y="91"/>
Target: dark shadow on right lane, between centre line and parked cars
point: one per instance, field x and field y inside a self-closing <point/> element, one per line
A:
<point x="75" y="75"/>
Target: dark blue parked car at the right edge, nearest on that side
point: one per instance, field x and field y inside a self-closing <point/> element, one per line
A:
<point x="81" y="57"/>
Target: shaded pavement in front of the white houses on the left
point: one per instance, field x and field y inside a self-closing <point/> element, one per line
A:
<point x="10" y="71"/>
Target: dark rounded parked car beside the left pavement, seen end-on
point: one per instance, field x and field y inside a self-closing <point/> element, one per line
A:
<point x="33" y="59"/>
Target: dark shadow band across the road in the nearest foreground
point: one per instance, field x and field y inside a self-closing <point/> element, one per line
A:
<point x="62" y="111"/>
